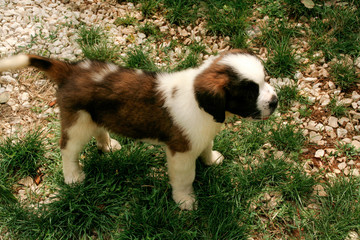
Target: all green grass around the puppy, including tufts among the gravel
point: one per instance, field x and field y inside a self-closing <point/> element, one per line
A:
<point x="261" y="189"/>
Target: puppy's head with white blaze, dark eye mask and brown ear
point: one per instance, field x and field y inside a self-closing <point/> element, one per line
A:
<point x="235" y="82"/>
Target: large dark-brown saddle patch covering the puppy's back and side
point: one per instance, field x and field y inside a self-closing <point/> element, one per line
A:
<point x="124" y="102"/>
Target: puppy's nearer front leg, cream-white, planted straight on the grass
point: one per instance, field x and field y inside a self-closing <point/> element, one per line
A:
<point x="181" y="170"/>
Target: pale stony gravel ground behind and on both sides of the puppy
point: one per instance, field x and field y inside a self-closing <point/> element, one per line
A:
<point x="48" y="27"/>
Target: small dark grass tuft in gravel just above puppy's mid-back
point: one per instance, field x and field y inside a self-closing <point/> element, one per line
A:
<point x="137" y="58"/>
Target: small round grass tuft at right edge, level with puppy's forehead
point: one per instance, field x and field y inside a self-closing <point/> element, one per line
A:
<point x="344" y="75"/>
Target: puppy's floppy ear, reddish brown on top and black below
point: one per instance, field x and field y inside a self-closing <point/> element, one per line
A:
<point x="210" y="91"/>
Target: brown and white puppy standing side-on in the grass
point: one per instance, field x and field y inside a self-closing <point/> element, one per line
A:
<point x="182" y="110"/>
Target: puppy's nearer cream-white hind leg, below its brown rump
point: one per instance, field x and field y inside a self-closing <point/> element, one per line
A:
<point x="73" y="139"/>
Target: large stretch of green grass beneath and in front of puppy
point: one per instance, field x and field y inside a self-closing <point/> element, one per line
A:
<point x="126" y="194"/>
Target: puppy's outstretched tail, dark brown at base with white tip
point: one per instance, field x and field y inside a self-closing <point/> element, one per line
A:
<point x="57" y="70"/>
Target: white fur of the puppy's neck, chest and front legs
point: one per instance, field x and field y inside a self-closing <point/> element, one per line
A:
<point x="198" y="126"/>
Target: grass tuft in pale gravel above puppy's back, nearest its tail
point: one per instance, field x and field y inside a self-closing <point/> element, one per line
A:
<point x="95" y="44"/>
